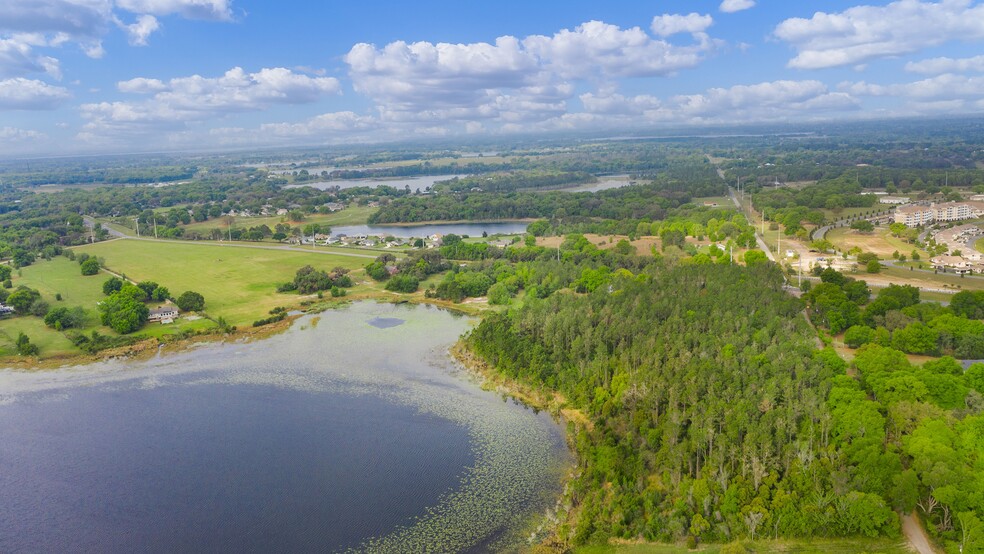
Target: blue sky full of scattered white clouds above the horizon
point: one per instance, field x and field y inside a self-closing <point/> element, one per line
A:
<point x="114" y="76"/>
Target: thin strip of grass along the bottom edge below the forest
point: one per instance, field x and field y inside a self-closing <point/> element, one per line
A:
<point x="818" y="546"/>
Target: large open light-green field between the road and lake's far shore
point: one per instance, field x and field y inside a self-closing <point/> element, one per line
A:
<point x="238" y="283"/>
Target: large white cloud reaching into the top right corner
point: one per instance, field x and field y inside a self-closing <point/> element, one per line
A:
<point x="864" y="33"/>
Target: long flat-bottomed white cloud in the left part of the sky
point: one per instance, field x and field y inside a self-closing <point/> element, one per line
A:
<point x="197" y="98"/>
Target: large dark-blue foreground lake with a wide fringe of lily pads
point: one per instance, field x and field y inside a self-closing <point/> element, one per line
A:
<point x="351" y="431"/>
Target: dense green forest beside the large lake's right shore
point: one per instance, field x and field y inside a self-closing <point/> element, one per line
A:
<point x="715" y="416"/>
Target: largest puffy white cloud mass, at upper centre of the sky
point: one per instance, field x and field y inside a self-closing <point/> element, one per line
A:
<point x="515" y="78"/>
